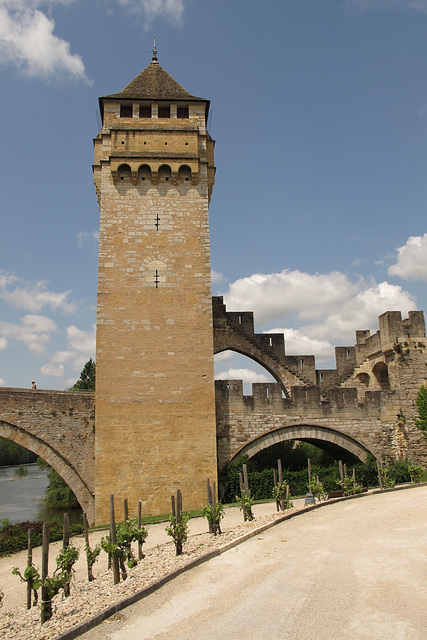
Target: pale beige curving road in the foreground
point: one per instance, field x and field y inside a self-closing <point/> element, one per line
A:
<point x="352" y="570"/>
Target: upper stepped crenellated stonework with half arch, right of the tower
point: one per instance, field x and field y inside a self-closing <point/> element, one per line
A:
<point x="235" y="330"/>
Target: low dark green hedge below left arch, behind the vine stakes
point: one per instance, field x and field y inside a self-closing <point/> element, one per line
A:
<point x="14" y="537"/>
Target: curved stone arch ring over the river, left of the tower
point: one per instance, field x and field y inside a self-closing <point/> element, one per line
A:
<point x="56" y="461"/>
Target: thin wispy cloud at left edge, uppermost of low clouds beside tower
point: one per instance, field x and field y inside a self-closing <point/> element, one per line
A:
<point x="32" y="296"/>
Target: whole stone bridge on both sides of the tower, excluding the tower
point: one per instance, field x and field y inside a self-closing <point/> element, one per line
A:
<point x="365" y="405"/>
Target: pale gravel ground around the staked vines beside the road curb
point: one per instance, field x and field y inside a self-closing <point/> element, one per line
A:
<point x="89" y="598"/>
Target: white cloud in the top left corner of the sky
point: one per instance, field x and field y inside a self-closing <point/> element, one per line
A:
<point x="27" y="41"/>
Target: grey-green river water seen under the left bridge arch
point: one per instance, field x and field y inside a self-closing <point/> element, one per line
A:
<point x="21" y="497"/>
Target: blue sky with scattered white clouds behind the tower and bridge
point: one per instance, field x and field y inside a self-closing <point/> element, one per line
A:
<point x="319" y="112"/>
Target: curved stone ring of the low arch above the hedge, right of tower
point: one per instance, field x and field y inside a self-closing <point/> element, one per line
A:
<point x="314" y="434"/>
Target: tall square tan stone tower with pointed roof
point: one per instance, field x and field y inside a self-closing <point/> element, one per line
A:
<point x="155" y="405"/>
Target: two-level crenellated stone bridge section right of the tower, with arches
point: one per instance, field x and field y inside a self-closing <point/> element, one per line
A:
<point x="366" y="405"/>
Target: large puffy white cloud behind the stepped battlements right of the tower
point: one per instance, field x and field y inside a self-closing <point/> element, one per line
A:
<point x="323" y="307"/>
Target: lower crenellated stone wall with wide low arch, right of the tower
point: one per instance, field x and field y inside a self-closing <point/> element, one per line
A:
<point x="340" y="425"/>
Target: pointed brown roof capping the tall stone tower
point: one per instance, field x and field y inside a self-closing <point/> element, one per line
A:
<point x="154" y="83"/>
